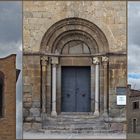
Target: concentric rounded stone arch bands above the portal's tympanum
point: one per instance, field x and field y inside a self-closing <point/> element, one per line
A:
<point x="68" y="29"/>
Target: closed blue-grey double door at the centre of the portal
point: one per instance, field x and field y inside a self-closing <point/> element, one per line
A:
<point x="76" y="89"/>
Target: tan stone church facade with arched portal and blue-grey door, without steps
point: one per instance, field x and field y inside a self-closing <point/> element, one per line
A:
<point x="74" y="59"/>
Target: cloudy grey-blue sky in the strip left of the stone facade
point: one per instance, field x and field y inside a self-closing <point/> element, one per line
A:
<point x="11" y="43"/>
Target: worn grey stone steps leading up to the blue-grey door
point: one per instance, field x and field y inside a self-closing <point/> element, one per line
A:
<point x="75" y="124"/>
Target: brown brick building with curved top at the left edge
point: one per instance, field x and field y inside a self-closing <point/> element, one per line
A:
<point x="8" y="98"/>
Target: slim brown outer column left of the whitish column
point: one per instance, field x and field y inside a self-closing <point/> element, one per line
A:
<point x="44" y="61"/>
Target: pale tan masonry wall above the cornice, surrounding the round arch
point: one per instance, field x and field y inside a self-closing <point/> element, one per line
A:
<point x="109" y="16"/>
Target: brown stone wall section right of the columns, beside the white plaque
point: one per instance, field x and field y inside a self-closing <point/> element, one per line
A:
<point x="117" y="78"/>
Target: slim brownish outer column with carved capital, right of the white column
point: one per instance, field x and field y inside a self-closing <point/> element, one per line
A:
<point x="105" y="64"/>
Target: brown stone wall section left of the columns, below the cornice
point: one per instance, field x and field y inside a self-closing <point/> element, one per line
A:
<point x="31" y="99"/>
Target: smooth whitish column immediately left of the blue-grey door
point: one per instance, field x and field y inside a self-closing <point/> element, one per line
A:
<point x="54" y="63"/>
